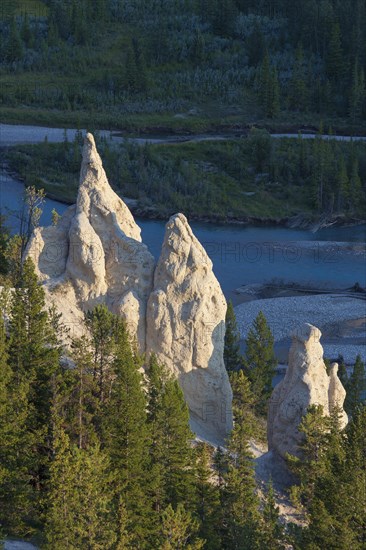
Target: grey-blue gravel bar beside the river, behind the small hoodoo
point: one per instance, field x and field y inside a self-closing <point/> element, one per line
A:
<point x="342" y="320"/>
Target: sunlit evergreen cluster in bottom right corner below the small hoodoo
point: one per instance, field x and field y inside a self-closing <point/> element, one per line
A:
<point x="331" y="473"/>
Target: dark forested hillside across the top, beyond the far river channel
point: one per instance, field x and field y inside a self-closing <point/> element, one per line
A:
<point x="184" y="64"/>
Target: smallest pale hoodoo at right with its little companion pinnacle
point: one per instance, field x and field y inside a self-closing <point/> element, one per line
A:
<point x="306" y="383"/>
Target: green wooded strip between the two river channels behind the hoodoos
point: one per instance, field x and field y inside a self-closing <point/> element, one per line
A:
<point x="255" y="177"/>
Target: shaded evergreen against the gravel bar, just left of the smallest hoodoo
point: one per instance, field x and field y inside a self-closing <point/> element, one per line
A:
<point x="260" y="361"/>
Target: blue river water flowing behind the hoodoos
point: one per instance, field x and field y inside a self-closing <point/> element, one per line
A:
<point x="331" y="258"/>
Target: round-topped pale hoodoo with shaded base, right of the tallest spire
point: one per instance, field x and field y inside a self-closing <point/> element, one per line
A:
<point x="186" y="328"/>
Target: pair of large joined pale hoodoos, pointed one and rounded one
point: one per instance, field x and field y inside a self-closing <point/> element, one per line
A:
<point x="95" y="255"/>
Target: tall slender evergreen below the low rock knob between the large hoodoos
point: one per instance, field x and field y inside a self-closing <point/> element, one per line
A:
<point x="125" y="436"/>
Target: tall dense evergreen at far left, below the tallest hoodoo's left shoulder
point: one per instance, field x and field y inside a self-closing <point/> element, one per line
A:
<point x="34" y="359"/>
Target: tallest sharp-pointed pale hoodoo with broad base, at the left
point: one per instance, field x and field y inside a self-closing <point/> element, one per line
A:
<point x="95" y="255"/>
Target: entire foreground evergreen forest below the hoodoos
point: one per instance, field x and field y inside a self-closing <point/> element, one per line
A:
<point x="101" y="455"/>
